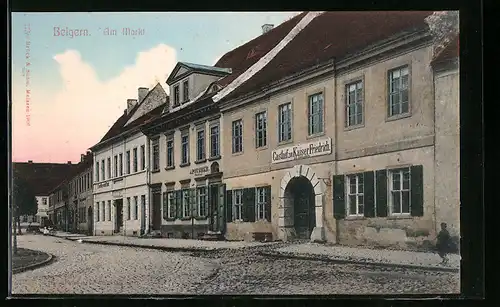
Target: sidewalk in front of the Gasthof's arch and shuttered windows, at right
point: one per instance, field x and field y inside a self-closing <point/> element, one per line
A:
<point x="384" y="257"/>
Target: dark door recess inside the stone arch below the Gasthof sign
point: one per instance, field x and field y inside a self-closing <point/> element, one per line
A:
<point x="300" y="196"/>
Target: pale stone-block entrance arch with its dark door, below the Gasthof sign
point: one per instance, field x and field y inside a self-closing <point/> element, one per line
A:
<point x="301" y="205"/>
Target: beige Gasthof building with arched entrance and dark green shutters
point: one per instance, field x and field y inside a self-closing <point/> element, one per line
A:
<point x="342" y="150"/>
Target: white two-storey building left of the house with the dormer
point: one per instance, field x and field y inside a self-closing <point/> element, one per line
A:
<point x="121" y="169"/>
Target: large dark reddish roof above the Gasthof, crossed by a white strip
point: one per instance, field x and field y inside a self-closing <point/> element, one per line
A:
<point x="331" y="35"/>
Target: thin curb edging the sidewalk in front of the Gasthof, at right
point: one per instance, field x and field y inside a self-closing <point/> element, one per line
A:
<point x="345" y="261"/>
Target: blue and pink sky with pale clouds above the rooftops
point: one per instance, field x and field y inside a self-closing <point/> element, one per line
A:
<point x="71" y="77"/>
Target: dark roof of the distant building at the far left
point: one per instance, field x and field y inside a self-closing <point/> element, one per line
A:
<point x="43" y="177"/>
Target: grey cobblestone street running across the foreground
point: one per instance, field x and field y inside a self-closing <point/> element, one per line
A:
<point x="82" y="268"/>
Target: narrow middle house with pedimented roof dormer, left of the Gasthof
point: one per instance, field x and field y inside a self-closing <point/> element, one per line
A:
<point x="186" y="179"/>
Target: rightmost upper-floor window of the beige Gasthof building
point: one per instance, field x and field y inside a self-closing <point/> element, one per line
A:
<point x="396" y="76"/>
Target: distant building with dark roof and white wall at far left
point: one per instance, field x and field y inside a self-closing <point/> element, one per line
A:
<point x="42" y="178"/>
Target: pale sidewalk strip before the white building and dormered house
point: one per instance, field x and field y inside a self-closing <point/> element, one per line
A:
<point x="160" y="243"/>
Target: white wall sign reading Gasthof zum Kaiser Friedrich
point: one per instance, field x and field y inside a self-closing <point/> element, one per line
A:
<point x="302" y="151"/>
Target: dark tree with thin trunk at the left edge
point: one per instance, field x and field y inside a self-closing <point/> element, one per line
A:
<point x="23" y="201"/>
